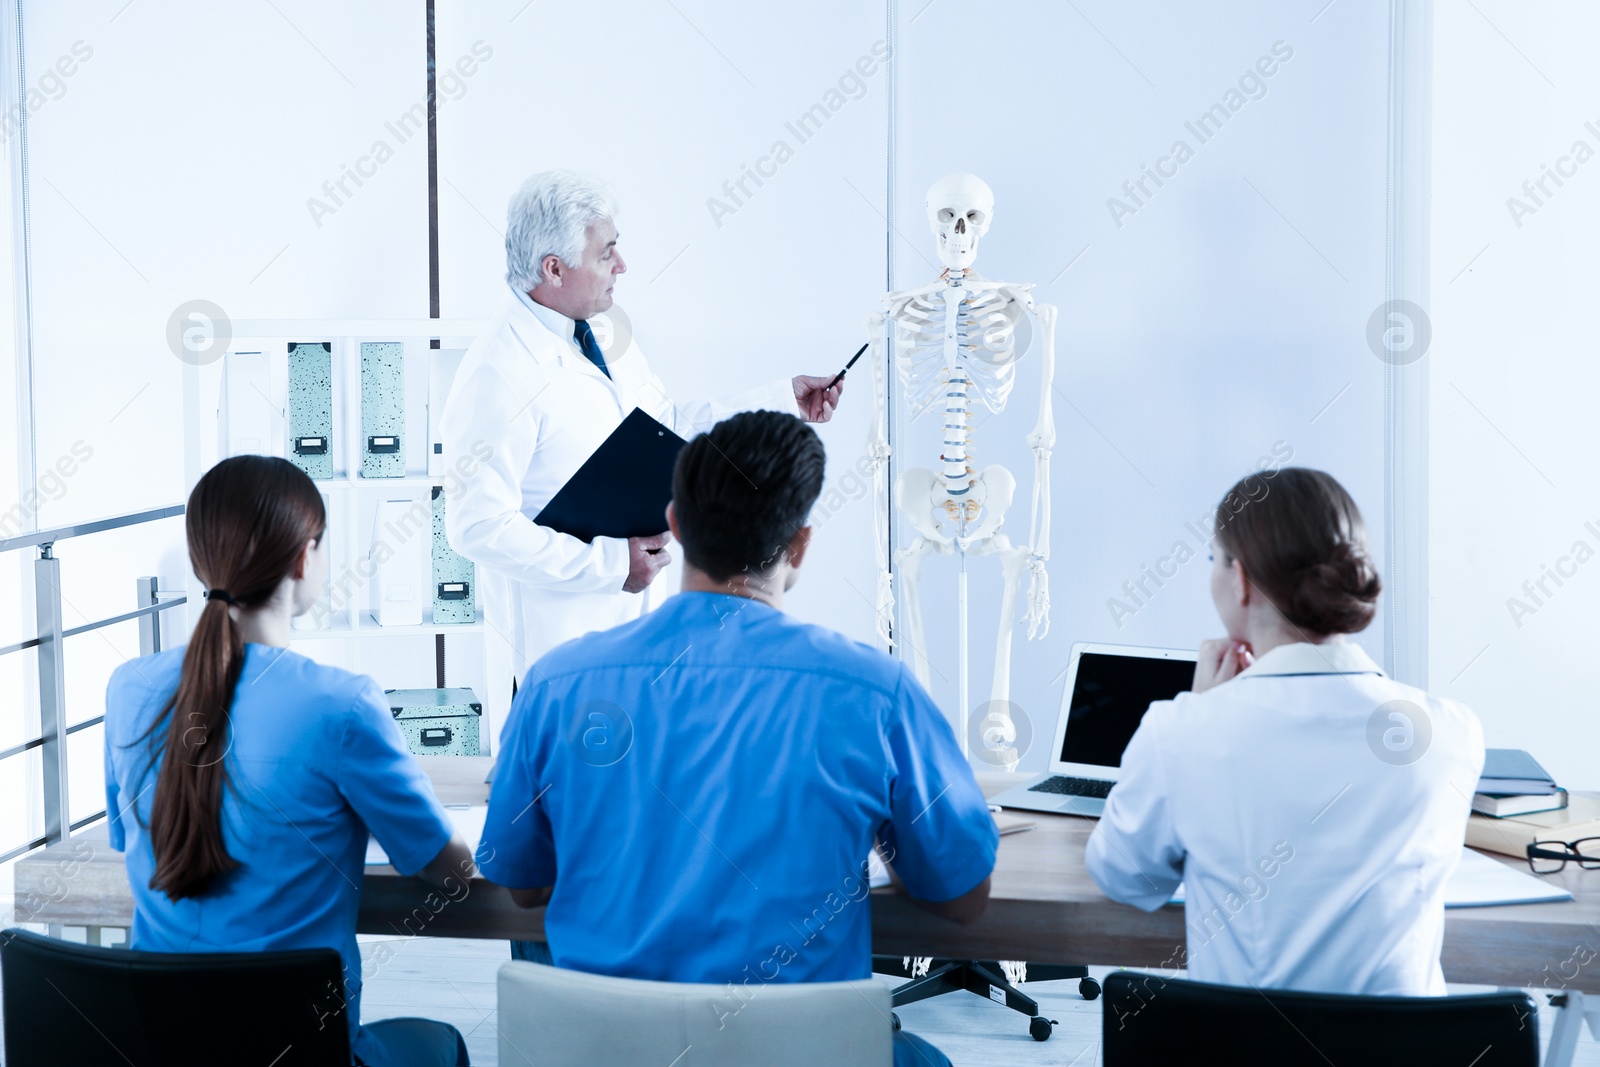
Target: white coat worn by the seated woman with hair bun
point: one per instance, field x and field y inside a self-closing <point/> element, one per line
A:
<point x="1310" y="861"/>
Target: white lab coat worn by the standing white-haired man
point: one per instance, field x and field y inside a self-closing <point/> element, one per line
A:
<point x="526" y="412"/>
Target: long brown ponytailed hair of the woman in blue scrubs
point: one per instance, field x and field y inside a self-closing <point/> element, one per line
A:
<point x="249" y="519"/>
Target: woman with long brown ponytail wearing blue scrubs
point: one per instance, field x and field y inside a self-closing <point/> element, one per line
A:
<point x="242" y="780"/>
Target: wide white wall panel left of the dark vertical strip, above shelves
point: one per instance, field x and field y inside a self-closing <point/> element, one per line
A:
<point x="175" y="164"/>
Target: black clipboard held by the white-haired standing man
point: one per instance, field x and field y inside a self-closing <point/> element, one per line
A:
<point x="623" y="489"/>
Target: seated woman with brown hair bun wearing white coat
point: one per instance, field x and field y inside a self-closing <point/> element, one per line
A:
<point x="1313" y="807"/>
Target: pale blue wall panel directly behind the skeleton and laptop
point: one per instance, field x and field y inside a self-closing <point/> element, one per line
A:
<point x="1217" y="322"/>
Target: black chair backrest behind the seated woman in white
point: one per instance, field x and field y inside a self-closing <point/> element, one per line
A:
<point x="1153" y="1020"/>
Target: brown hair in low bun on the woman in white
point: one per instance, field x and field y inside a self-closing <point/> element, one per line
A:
<point x="1303" y="545"/>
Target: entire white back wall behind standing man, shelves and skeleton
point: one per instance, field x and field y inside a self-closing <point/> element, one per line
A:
<point x="1226" y="316"/>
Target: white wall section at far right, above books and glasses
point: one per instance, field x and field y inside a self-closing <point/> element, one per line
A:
<point x="1513" y="378"/>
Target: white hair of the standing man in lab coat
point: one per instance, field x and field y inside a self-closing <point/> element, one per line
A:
<point x="550" y="217"/>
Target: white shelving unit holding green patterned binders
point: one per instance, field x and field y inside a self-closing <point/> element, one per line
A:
<point x="353" y="500"/>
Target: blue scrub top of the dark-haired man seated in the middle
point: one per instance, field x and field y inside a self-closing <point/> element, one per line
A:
<point x="703" y="786"/>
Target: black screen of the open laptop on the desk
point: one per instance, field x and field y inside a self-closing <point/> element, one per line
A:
<point x="1110" y="698"/>
